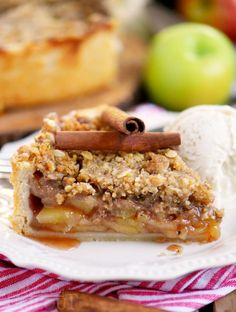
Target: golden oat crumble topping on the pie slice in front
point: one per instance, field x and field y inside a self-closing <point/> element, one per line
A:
<point x="114" y="175"/>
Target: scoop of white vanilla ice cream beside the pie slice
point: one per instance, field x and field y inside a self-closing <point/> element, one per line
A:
<point x="208" y="135"/>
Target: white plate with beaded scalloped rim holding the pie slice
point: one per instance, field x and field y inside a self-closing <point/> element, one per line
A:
<point x="96" y="261"/>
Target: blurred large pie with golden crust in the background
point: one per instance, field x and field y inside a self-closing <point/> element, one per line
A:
<point x="46" y="56"/>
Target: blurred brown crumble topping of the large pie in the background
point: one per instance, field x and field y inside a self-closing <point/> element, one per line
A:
<point x="23" y="22"/>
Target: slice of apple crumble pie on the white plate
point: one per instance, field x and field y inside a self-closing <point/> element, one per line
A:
<point x="94" y="195"/>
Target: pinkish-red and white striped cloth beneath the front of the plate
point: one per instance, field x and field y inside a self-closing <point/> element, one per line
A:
<point x="36" y="290"/>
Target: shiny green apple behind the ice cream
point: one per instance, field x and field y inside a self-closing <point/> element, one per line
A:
<point x="189" y="64"/>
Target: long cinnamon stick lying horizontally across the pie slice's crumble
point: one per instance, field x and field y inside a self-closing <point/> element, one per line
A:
<point x="115" y="141"/>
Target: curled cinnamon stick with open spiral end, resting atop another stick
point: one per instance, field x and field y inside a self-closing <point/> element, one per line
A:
<point x="121" y="121"/>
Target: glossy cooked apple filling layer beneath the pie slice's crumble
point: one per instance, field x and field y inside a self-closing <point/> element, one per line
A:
<point x="130" y="215"/>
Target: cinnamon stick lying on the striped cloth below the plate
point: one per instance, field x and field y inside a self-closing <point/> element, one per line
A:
<point x="73" y="301"/>
